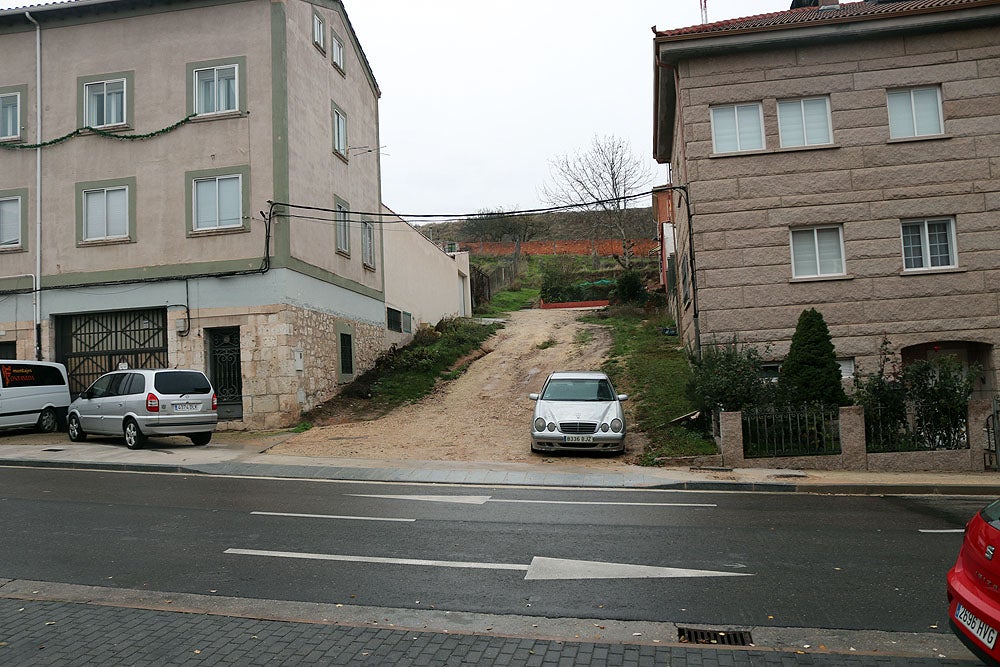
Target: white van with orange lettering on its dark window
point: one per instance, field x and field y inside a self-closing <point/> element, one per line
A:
<point x="33" y="394"/>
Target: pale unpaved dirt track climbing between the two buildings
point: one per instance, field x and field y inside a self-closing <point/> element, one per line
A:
<point x="485" y="414"/>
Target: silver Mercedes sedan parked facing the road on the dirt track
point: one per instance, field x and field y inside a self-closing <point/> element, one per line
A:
<point x="578" y="411"/>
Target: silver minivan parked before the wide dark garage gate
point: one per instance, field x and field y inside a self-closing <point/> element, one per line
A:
<point x="138" y="403"/>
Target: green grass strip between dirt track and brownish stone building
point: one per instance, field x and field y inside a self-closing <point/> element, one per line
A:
<point x="653" y="369"/>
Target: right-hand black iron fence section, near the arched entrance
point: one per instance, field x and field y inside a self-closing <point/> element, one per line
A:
<point x="915" y="427"/>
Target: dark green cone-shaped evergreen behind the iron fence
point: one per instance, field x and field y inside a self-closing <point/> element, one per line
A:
<point x="810" y="372"/>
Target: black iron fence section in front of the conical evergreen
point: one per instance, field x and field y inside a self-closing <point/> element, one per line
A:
<point x="791" y="431"/>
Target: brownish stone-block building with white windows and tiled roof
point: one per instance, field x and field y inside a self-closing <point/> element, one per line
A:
<point x="844" y="157"/>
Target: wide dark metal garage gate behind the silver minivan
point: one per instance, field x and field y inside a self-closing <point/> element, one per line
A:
<point x="92" y="344"/>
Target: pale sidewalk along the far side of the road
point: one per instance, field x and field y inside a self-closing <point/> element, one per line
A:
<point x="245" y="454"/>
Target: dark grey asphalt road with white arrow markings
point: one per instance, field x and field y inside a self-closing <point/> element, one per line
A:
<point x="855" y="563"/>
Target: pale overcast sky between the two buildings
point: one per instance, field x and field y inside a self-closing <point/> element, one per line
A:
<point x="479" y="96"/>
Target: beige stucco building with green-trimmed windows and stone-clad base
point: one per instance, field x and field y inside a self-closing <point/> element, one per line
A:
<point x="191" y="183"/>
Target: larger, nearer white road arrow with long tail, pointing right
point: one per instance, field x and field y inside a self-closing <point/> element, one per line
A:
<point x="540" y="568"/>
